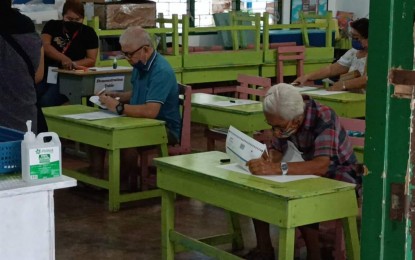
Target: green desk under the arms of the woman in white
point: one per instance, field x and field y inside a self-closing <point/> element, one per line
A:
<point x="350" y="105"/>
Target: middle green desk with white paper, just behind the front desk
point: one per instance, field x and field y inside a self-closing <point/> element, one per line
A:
<point x="246" y="118"/>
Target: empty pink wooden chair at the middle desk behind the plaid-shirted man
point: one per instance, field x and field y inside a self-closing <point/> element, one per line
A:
<point x="249" y="87"/>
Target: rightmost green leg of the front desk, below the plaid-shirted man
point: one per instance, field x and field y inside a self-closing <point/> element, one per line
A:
<point x="351" y="238"/>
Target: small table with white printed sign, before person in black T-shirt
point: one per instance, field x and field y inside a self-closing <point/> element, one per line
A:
<point x="78" y="84"/>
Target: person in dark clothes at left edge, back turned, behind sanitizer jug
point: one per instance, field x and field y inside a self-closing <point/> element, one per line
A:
<point x="21" y="66"/>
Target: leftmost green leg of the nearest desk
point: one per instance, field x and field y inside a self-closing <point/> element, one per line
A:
<point x="167" y="224"/>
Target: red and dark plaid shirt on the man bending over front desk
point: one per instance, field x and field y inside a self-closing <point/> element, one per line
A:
<point x="322" y="135"/>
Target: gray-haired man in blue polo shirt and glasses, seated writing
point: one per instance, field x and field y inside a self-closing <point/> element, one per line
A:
<point x="155" y="92"/>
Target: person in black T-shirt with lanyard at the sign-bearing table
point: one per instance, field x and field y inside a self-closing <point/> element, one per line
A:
<point x="68" y="44"/>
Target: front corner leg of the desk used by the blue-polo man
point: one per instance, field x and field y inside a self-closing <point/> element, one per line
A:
<point x="114" y="179"/>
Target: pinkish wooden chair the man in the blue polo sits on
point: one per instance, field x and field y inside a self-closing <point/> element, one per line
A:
<point x="184" y="147"/>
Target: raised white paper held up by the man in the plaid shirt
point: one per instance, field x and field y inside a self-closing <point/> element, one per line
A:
<point x="242" y="148"/>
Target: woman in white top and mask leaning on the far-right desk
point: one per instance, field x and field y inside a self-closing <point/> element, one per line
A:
<point x="352" y="64"/>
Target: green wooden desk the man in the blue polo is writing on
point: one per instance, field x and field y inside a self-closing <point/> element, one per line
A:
<point x="112" y="134"/>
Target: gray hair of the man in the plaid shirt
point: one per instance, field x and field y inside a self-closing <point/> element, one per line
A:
<point x="285" y="100"/>
